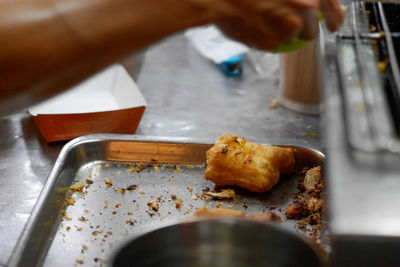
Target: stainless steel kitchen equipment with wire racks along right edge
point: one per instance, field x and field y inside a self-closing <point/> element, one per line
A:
<point x="362" y="127"/>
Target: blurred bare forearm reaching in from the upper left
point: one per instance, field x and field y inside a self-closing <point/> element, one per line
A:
<point x="48" y="45"/>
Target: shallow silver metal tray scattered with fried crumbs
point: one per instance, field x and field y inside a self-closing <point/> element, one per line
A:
<point x="103" y="217"/>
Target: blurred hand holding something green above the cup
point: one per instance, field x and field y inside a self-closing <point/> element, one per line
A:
<point x="266" y="24"/>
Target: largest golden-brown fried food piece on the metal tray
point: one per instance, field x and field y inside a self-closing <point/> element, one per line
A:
<point x="234" y="161"/>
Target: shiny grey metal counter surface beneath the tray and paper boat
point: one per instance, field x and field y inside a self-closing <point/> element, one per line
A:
<point x="187" y="95"/>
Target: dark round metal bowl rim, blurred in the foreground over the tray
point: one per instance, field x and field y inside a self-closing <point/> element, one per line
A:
<point x="229" y="242"/>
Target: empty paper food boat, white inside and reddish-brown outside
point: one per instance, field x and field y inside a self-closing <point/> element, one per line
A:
<point x="109" y="102"/>
